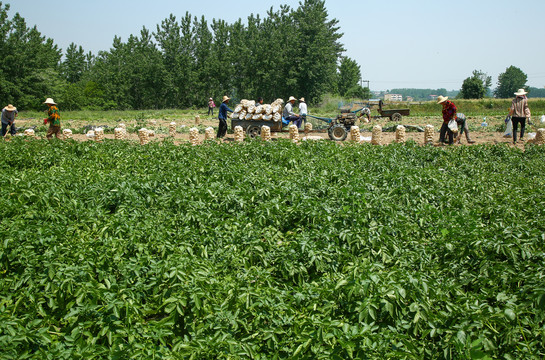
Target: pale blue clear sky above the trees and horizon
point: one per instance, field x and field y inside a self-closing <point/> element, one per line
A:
<point x="397" y="43"/>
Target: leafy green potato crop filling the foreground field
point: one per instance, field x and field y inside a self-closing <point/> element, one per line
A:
<point x="276" y="250"/>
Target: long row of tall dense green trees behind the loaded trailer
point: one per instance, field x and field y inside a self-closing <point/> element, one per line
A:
<point x="183" y="62"/>
